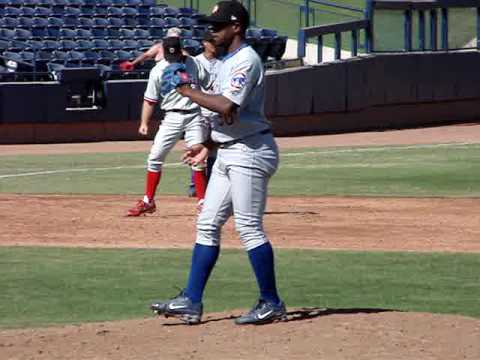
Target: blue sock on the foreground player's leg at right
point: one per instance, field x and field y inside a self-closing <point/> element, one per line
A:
<point x="263" y="266"/>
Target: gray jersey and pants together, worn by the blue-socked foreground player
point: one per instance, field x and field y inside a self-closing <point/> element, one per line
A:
<point x="240" y="175"/>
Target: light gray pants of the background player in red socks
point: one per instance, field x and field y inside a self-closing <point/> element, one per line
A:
<point x="171" y="130"/>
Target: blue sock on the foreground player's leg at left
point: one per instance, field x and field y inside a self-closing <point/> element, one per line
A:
<point x="203" y="260"/>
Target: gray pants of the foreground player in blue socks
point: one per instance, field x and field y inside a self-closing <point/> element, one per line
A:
<point x="238" y="186"/>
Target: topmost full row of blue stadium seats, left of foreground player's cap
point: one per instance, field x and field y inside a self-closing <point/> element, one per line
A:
<point x="126" y="11"/>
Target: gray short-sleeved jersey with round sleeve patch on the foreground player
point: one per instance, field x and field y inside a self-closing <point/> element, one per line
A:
<point x="241" y="79"/>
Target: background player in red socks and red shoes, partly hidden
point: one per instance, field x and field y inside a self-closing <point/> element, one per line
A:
<point x="181" y="115"/>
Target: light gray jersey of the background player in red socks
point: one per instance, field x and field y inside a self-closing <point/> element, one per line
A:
<point x="173" y="100"/>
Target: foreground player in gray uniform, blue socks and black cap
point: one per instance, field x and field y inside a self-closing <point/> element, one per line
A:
<point x="247" y="158"/>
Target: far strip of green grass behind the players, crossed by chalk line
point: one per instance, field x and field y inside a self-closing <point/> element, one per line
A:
<point x="430" y="170"/>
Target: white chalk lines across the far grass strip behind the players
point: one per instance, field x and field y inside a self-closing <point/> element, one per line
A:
<point x="332" y="151"/>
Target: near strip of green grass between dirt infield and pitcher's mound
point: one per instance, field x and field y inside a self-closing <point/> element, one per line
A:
<point x="44" y="286"/>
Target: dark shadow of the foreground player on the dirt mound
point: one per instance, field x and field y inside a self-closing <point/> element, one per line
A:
<point x="304" y="314"/>
